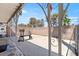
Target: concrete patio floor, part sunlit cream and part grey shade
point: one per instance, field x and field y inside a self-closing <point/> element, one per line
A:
<point x="38" y="46"/>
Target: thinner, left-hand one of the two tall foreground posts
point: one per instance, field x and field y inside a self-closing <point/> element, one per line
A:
<point x="49" y="31"/>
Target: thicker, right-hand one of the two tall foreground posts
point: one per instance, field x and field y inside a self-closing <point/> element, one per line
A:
<point x="60" y="7"/>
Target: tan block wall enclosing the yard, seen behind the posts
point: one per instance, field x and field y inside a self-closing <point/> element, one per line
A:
<point x="67" y="32"/>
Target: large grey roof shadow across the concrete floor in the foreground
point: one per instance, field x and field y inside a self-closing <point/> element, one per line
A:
<point x="31" y="49"/>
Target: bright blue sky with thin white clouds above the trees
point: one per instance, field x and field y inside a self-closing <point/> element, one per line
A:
<point x="33" y="10"/>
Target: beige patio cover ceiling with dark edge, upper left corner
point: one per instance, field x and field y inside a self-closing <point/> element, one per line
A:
<point x="7" y="11"/>
